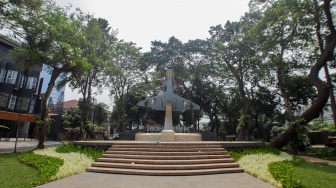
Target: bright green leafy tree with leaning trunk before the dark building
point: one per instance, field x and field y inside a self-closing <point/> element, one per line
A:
<point x="49" y="36"/>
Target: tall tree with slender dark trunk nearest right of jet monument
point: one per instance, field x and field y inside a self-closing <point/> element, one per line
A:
<point x="235" y="51"/>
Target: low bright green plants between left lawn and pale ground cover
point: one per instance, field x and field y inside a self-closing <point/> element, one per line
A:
<point x="48" y="166"/>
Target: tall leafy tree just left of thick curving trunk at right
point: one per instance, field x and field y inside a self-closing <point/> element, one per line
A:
<point x="283" y="33"/>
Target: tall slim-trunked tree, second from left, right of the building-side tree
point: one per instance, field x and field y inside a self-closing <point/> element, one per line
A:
<point x="98" y="49"/>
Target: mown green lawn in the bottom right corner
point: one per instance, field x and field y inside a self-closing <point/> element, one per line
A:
<point x="314" y="175"/>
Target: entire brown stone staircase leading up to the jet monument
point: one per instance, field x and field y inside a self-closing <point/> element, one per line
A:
<point x="165" y="159"/>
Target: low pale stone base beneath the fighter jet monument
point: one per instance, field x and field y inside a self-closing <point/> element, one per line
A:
<point x="168" y="136"/>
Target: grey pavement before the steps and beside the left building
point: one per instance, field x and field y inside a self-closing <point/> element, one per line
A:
<point x="92" y="180"/>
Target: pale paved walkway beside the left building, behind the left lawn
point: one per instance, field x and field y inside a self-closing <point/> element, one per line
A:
<point x="23" y="145"/>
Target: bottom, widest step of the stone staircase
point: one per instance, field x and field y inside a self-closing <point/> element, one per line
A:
<point x="164" y="172"/>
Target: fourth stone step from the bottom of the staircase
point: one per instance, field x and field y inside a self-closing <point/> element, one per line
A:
<point x="167" y="153"/>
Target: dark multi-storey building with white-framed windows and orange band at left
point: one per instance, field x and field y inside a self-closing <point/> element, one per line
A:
<point x="19" y="93"/>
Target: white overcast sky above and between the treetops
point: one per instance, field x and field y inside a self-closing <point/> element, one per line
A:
<point x="143" y="21"/>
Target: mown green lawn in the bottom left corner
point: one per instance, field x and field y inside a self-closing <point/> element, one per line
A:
<point x="15" y="174"/>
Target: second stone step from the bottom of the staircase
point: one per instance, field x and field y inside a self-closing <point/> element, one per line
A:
<point x="165" y="167"/>
